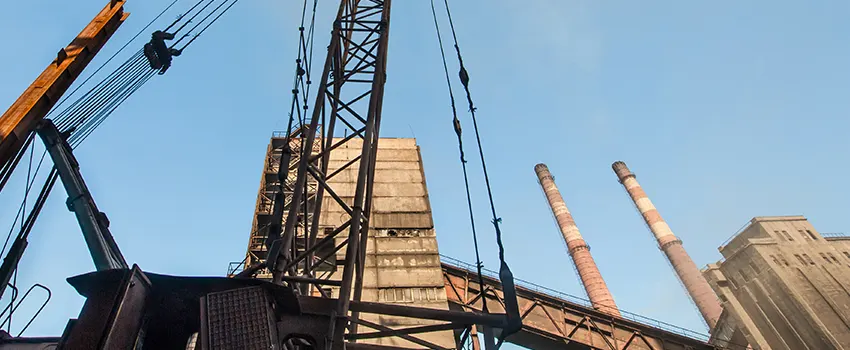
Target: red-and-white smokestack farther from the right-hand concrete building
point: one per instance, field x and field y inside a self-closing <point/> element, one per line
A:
<point x="595" y="286"/>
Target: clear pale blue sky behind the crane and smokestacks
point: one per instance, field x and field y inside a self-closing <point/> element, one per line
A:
<point x="725" y="111"/>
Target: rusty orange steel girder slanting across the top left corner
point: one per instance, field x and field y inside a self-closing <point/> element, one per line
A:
<point x="21" y="119"/>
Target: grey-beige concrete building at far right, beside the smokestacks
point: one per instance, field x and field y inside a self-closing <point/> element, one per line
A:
<point x="784" y="285"/>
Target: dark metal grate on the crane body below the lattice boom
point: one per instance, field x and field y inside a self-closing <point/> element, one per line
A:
<point x="240" y="319"/>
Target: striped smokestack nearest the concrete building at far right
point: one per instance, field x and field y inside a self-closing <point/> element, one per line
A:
<point x="688" y="273"/>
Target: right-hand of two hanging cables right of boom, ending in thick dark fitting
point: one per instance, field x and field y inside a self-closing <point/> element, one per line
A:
<point x="514" y="322"/>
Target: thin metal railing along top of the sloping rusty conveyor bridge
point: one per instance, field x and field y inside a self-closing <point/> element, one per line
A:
<point x="579" y="300"/>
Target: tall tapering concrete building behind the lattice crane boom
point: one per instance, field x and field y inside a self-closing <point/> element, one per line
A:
<point x="402" y="260"/>
